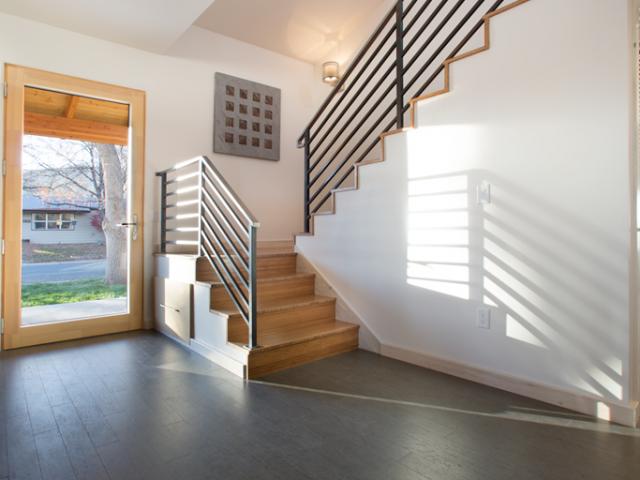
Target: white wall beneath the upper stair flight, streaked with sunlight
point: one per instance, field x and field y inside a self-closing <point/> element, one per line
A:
<point x="545" y="119"/>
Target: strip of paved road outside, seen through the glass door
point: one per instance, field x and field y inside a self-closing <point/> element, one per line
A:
<point x="62" y="271"/>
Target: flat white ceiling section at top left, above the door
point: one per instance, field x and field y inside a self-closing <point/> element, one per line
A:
<point x="152" y="25"/>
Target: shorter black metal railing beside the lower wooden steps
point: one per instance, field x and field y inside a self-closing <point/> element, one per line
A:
<point x="198" y="208"/>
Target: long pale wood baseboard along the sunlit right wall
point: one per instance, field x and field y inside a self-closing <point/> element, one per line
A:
<point x="619" y="412"/>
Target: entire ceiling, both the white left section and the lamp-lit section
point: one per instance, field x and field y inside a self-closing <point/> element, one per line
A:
<point x="304" y="29"/>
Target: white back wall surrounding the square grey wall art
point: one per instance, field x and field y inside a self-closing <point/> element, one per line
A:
<point x="180" y="109"/>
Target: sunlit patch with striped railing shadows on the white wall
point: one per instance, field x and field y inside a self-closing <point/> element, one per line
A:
<point x="550" y="278"/>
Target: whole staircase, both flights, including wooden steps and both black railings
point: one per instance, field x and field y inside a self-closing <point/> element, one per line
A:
<point x="262" y="313"/>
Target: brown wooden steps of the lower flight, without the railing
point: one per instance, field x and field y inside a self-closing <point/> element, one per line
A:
<point x="296" y="326"/>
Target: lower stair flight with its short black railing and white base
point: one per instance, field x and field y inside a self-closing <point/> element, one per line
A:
<point x="271" y="317"/>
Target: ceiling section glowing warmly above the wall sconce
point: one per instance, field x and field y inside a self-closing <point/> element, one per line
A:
<point x="304" y="29"/>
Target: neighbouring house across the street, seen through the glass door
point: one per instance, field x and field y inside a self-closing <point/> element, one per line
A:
<point x="58" y="222"/>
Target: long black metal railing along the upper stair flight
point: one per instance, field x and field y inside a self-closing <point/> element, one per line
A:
<point x="402" y="59"/>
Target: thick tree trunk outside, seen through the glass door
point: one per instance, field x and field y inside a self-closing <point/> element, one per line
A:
<point x="115" y="211"/>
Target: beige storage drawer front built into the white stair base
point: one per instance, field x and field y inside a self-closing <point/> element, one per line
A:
<point x="173" y="307"/>
